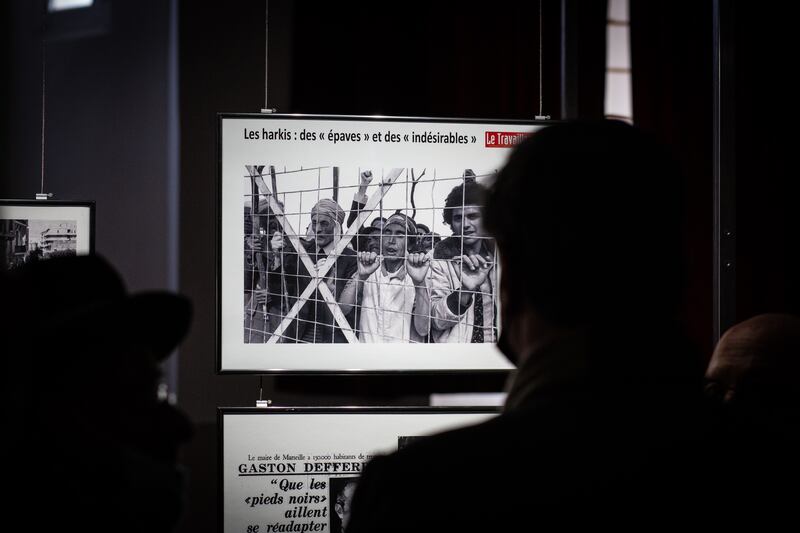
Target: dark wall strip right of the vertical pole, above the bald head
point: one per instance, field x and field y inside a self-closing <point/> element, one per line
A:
<point x="767" y="266"/>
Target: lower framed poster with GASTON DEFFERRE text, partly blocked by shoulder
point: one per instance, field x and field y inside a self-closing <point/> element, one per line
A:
<point x="295" y="469"/>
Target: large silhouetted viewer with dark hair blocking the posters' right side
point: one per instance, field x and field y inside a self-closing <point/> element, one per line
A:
<point x="602" y="422"/>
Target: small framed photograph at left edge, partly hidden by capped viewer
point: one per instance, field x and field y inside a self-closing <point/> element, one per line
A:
<point x="34" y="230"/>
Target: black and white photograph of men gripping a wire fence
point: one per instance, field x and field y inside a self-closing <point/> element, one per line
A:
<point x="349" y="255"/>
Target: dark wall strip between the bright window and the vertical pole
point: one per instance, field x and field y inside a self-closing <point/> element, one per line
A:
<point x="673" y="100"/>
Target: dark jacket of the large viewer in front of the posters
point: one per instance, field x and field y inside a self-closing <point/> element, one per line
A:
<point x="569" y="452"/>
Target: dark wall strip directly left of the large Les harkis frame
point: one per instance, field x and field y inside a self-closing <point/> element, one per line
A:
<point x="221" y="69"/>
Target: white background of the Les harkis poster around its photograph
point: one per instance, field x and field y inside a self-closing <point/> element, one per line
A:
<point x="238" y="148"/>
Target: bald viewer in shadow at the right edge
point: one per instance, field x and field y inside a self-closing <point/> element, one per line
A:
<point x="752" y="379"/>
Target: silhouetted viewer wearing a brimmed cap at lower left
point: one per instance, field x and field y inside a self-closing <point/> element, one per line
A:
<point x="93" y="447"/>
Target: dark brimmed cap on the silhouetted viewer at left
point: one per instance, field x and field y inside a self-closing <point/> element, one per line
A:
<point x="73" y="303"/>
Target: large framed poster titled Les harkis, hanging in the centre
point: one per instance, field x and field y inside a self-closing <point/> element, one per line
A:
<point x="355" y="244"/>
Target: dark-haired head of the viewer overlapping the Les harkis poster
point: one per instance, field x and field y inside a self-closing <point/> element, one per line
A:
<point x="588" y="220"/>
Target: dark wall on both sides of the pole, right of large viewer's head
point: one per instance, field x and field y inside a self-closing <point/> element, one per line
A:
<point x="672" y="44"/>
